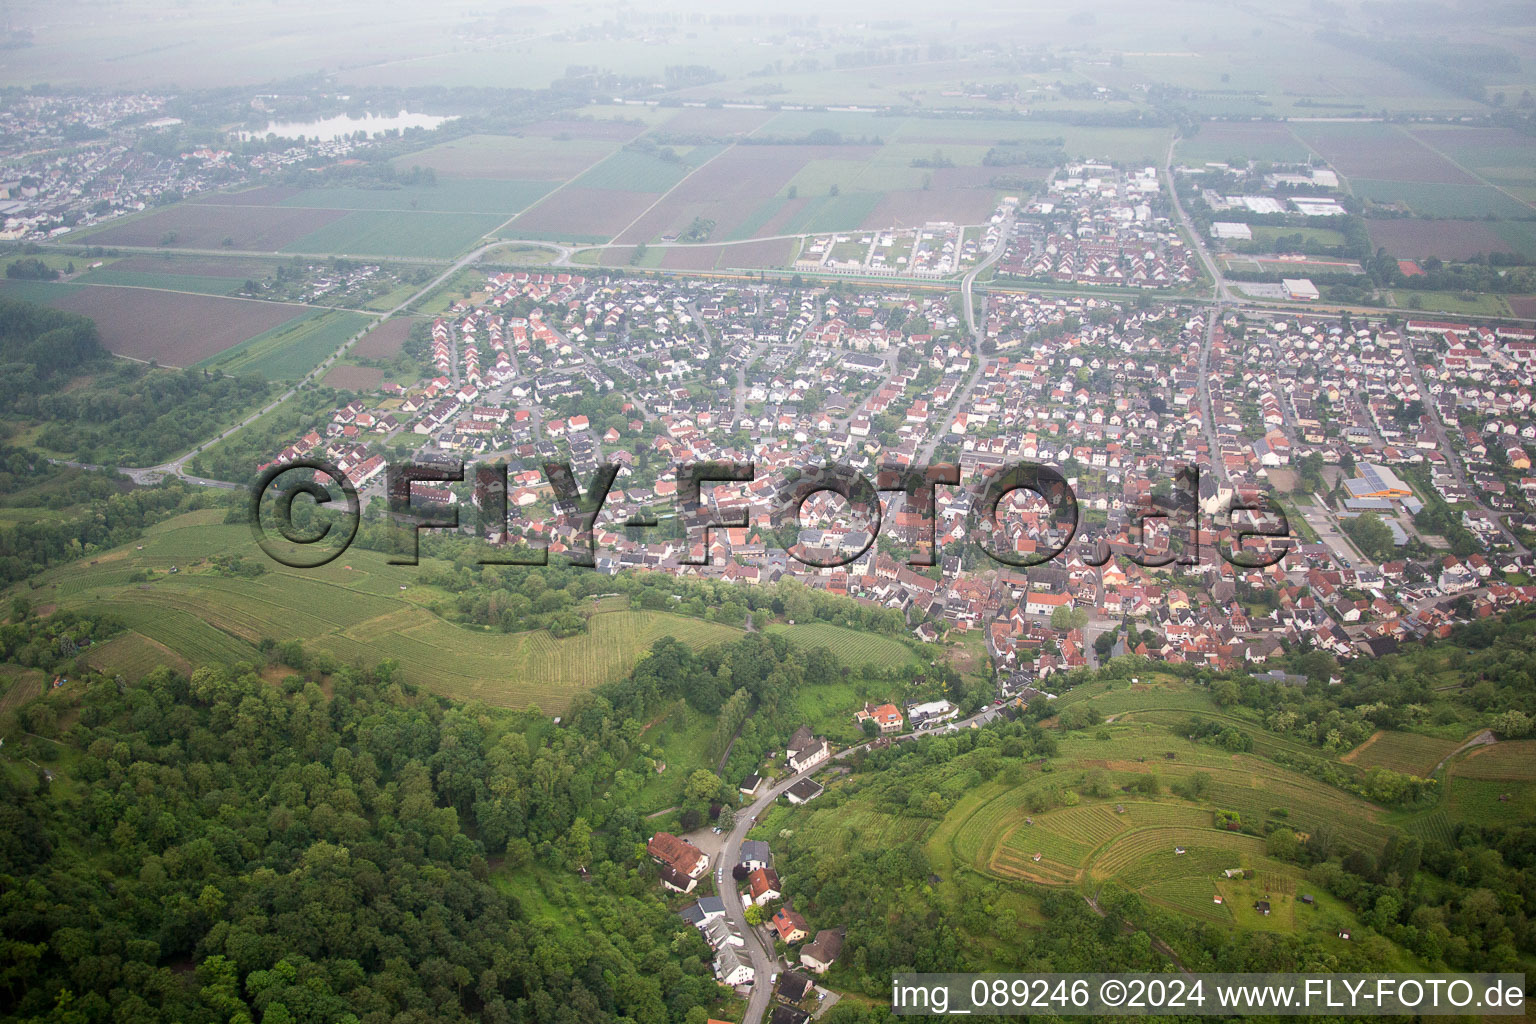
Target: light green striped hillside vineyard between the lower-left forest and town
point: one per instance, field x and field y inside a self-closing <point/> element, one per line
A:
<point x="359" y="610"/>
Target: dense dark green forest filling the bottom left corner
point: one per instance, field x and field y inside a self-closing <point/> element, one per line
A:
<point x="225" y="850"/>
